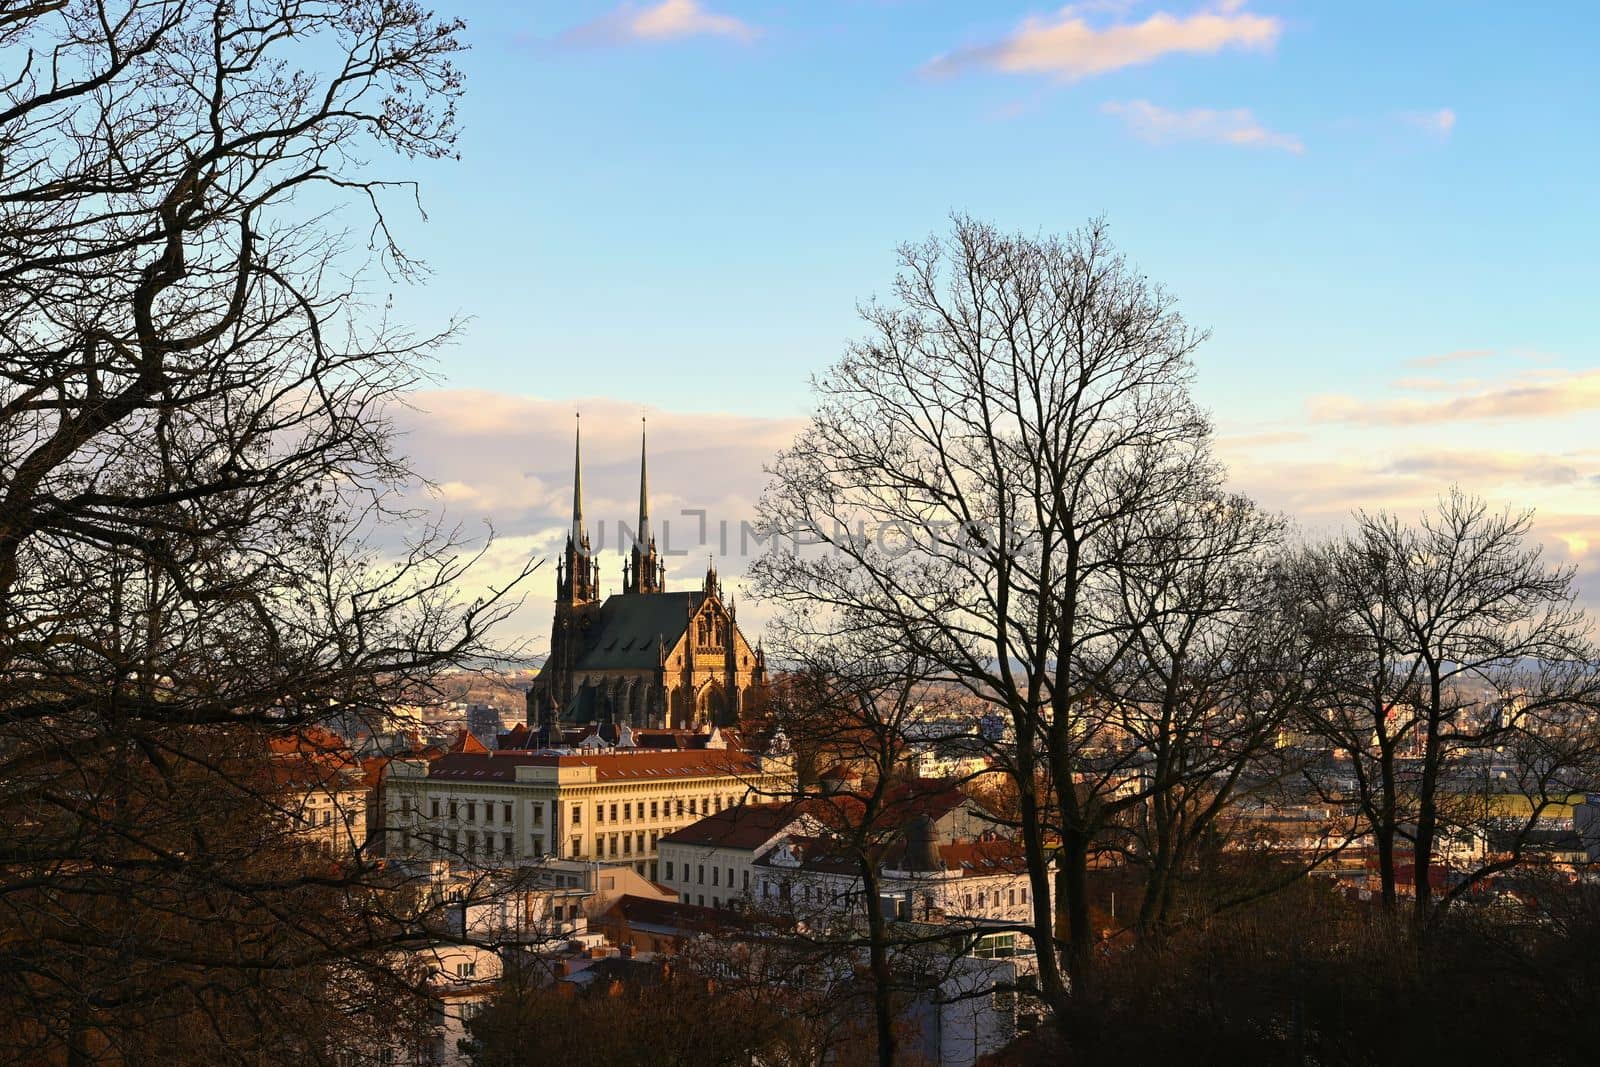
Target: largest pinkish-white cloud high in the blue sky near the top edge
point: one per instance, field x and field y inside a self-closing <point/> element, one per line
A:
<point x="1066" y="49"/>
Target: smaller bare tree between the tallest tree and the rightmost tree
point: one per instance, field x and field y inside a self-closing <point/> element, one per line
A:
<point x="1222" y="660"/>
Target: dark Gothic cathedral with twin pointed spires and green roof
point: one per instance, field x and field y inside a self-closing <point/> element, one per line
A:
<point x="644" y="657"/>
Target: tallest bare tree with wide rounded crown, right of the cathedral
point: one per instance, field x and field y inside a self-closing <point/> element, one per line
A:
<point x="967" y="482"/>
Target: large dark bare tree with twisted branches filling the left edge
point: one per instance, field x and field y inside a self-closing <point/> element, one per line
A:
<point x="198" y="527"/>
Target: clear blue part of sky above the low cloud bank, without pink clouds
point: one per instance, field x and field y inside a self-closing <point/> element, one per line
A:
<point x="703" y="206"/>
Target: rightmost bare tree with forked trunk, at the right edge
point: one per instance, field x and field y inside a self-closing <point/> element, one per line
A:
<point x="1468" y="676"/>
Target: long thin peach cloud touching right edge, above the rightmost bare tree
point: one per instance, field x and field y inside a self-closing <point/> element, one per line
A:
<point x="1532" y="396"/>
